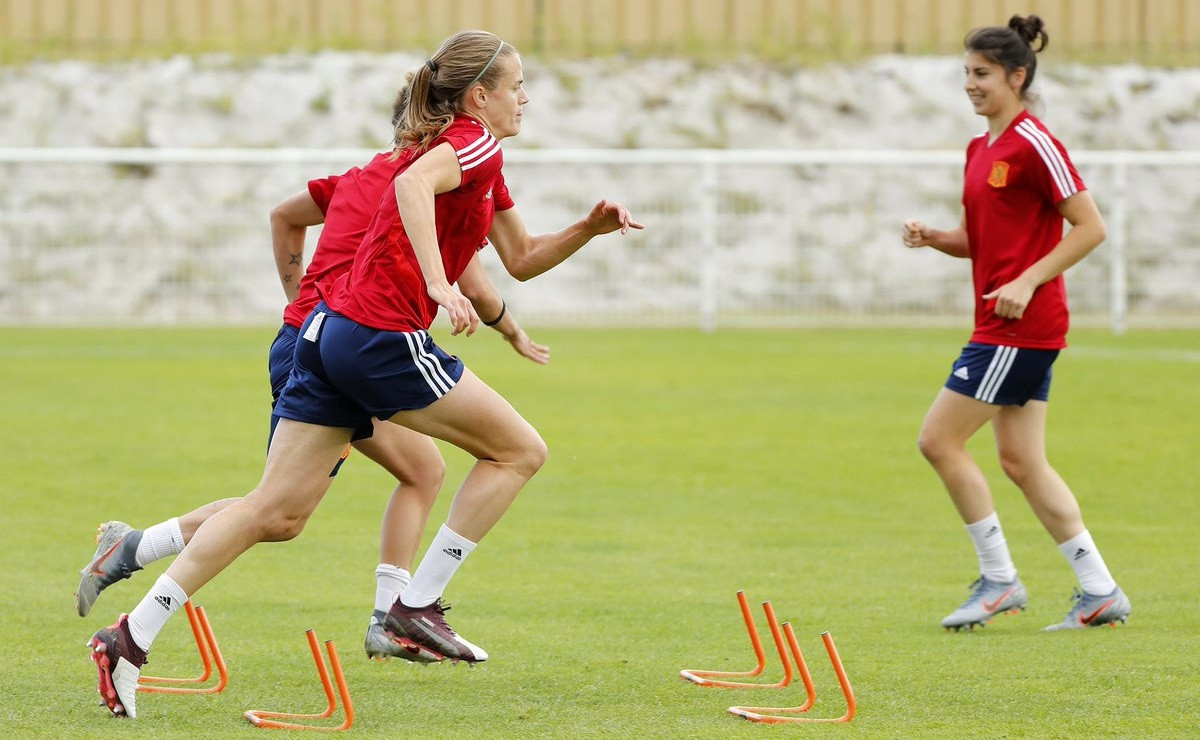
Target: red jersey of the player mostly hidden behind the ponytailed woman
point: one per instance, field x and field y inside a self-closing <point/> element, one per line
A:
<point x="349" y="203"/>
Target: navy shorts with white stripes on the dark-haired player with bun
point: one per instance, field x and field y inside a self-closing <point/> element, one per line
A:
<point x="1003" y="376"/>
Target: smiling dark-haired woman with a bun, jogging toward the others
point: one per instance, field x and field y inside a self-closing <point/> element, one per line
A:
<point x="1019" y="185"/>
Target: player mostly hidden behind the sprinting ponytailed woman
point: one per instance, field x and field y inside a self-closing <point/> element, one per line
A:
<point x="345" y="204"/>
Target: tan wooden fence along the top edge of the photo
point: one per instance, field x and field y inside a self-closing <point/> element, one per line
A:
<point x="1091" y="31"/>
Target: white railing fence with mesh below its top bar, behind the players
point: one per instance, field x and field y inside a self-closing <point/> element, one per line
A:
<point x="734" y="237"/>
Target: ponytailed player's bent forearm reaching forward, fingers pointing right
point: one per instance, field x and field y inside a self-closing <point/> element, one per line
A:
<point x="526" y="256"/>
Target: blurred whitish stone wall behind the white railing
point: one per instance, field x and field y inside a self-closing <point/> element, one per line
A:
<point x="188" y="243"/>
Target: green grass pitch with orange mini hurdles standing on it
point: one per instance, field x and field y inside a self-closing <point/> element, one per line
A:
<point x="683" y="467"/>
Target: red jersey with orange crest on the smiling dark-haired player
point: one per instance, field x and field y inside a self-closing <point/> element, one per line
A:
<point x="1011" y="192"/>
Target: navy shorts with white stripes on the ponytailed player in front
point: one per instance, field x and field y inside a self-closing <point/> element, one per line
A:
<point x="346" y="375"/>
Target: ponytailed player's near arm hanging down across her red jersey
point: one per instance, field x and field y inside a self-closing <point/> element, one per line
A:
<point x="435" y="172"/>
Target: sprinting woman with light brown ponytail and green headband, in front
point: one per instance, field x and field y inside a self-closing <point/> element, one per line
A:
<point x="365" y="353"/>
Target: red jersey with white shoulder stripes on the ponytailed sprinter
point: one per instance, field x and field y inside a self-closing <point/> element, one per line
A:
<point x="386" y="288"/>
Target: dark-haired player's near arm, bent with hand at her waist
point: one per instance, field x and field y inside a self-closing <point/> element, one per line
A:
<point x="1087" y="233"/>
